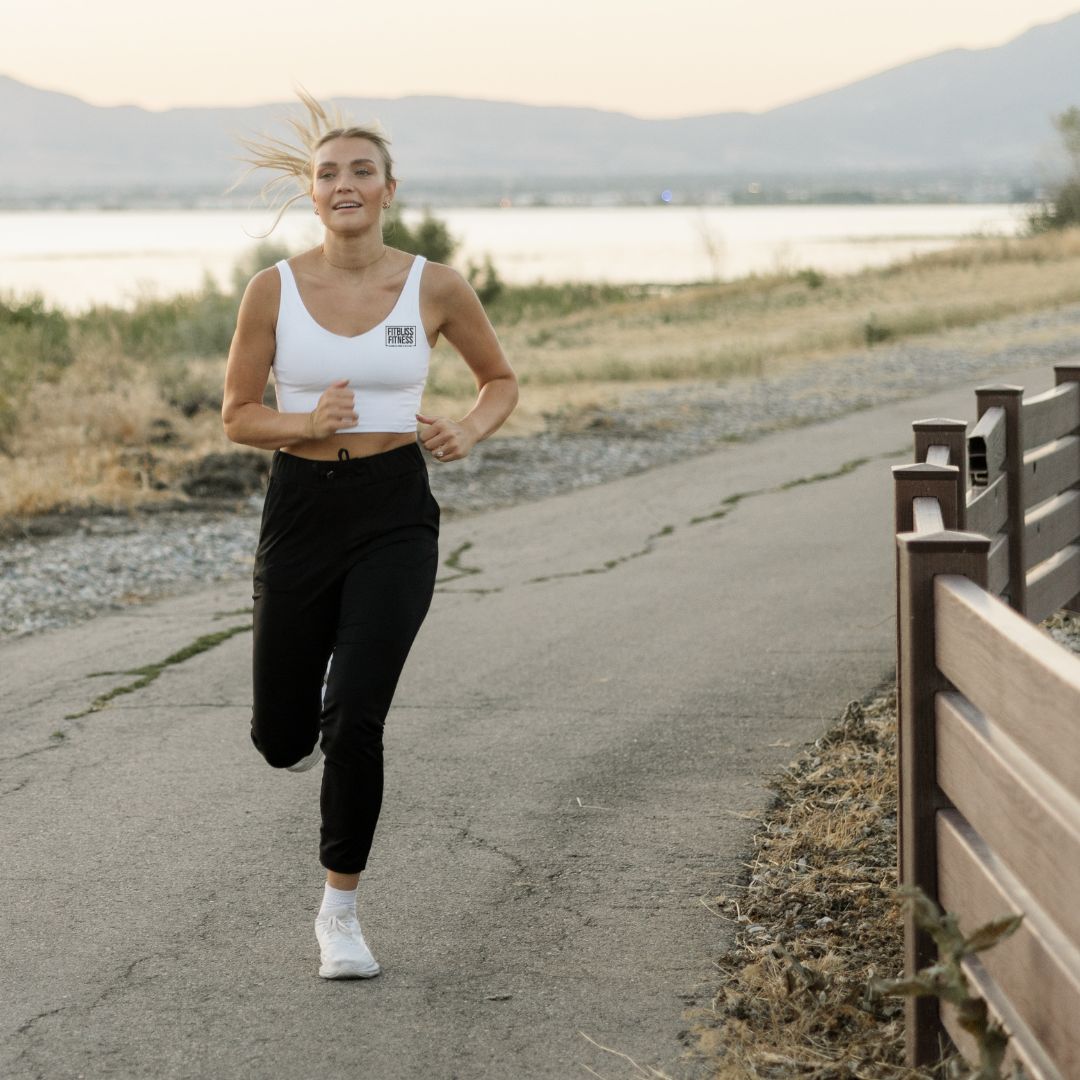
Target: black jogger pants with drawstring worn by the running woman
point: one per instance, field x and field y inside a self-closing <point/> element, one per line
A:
<point x="346" y="564"/>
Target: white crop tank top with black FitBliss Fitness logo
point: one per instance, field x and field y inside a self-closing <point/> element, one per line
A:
<point x="387" y="367"/>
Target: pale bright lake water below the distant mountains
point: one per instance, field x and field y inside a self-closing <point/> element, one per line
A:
<point x="76" y="259"/>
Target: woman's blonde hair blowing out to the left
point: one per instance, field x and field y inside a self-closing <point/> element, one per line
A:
<point x="293" y="161"/>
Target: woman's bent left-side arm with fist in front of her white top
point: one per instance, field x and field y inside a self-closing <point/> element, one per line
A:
<point x="246" y="418"/>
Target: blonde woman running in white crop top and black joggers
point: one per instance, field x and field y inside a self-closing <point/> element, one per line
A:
<point x="348" y="548"/>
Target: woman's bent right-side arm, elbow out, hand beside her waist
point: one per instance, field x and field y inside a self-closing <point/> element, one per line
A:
<point x="466" y="326"/>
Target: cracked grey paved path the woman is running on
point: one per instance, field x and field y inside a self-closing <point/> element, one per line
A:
<point x="603" y="683"/>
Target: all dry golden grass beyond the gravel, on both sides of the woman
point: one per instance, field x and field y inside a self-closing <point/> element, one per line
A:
<point x="118" y="429"/>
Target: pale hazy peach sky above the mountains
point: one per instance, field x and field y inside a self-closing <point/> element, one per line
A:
<point x="658" y="59"/>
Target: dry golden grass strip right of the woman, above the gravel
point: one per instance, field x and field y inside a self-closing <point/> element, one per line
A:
<point x="762" y="326"/>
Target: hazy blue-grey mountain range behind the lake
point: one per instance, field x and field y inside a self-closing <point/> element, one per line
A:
<point x="980" y="114"/>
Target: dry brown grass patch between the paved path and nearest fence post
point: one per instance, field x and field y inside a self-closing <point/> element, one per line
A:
<point x="816" y="923"/>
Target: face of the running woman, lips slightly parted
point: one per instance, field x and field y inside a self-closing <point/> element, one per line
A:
<point x="349" y="184"/>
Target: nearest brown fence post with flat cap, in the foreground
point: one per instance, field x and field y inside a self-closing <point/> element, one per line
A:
<point x="920" y="560"/>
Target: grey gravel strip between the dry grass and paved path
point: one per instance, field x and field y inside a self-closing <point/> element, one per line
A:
<point x="107" y="562"/>
